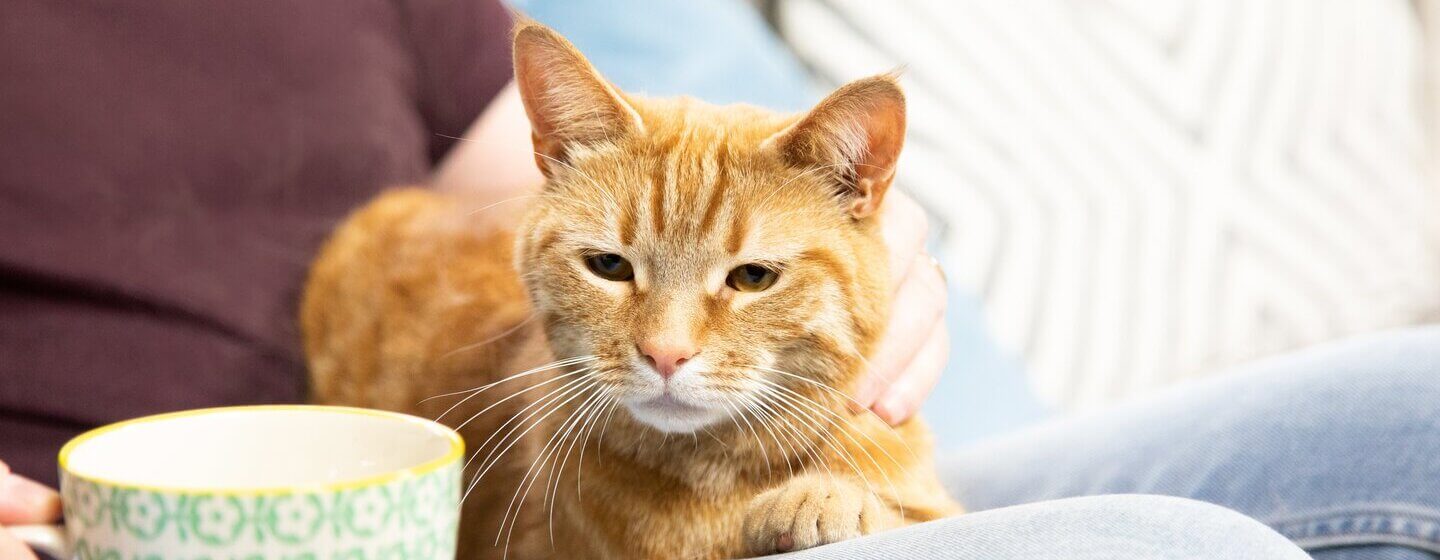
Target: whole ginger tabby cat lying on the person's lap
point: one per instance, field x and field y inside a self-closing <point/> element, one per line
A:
<point x="654" y="365"/>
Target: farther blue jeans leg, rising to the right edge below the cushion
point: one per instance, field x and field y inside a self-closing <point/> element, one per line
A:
<point x="1338" y="448"/>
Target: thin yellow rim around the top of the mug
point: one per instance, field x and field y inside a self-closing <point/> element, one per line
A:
<point x="457" y="450"/>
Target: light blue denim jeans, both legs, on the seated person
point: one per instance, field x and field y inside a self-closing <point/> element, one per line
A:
<point x="1334" y="448"/>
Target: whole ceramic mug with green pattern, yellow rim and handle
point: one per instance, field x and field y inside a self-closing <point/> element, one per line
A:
<point x="260" y="483"/>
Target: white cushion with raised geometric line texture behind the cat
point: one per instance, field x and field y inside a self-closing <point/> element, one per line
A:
<point x="1144" y="191"/>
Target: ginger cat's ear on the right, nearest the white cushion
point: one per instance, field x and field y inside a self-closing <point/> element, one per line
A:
<point x="856" y="136"/>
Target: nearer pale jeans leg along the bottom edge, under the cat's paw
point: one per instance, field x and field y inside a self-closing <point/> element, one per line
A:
<point x="1108" y="528"/>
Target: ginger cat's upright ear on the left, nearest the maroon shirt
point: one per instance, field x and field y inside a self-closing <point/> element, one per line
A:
<point x="568" y="101"/>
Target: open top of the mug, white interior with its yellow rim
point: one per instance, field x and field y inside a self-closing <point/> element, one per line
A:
<point x="260" y="447"/>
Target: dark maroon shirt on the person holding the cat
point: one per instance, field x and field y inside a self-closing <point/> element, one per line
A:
<point x="168" y="169"/>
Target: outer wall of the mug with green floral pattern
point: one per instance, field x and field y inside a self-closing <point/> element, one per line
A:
<point x="410" y="519"/>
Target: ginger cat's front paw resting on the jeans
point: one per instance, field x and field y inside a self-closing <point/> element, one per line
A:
<point x="813" y="510"/>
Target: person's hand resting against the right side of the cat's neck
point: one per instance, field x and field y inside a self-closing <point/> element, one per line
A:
<point x="917" y="343"/>
